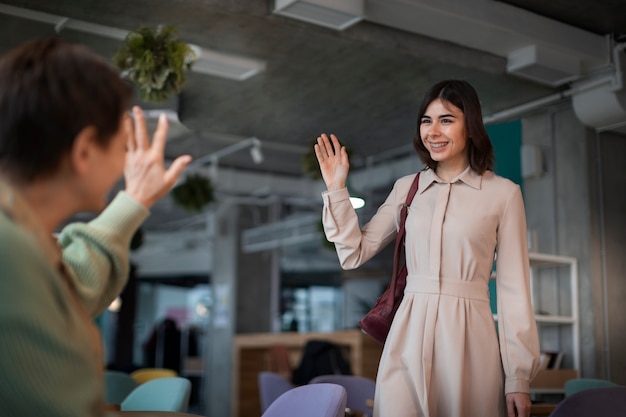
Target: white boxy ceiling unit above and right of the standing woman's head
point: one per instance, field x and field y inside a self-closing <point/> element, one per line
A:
<point x="544" y="66"/>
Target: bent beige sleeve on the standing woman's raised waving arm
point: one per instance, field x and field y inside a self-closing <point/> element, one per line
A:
<point x="356" y="245"/>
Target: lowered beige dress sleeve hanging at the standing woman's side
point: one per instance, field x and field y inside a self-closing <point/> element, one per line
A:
<point x="519" y="341"/>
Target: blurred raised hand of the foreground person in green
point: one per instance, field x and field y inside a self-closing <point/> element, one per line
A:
<point x="147" y="180"/>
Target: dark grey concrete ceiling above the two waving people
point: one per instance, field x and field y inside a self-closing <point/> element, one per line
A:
<point x="362" y="83"/>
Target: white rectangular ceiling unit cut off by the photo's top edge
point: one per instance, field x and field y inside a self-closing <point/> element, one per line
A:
<point x="334" y="14"/>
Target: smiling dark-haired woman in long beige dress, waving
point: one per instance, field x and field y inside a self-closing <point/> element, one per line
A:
<point x="444" y="355"/>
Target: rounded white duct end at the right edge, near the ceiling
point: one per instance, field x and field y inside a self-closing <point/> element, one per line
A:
<point x="603" y="105"/>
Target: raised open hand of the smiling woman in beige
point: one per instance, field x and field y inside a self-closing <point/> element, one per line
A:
<point x="333" y="160"/>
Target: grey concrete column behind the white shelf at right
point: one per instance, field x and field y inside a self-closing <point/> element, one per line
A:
<point x="558" y="212"/>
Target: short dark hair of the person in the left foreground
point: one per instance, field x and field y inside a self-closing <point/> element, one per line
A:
<point x="49" y="91"/>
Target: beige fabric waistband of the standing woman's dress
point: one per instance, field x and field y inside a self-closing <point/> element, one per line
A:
<point x="476" y="290"/>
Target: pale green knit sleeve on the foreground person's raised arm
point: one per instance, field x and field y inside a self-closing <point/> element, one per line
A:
<point x="96" y="254"/>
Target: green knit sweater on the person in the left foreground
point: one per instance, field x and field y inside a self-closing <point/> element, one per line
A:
<point x="51" y="360"/>
